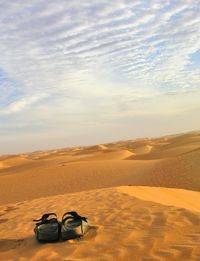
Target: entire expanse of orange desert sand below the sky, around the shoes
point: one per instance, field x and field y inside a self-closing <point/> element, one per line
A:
<point x="142" y="199"/>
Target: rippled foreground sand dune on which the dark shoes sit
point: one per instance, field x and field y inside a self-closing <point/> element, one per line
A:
<point x="123" y="227"/>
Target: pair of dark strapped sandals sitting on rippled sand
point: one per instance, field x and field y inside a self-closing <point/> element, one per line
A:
<point x="49" y="229"/>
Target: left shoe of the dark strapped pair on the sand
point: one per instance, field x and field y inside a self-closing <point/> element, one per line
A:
<point x="47" y="228"/>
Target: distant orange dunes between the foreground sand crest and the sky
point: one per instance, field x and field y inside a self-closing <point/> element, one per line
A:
<point x="171" y="161"/>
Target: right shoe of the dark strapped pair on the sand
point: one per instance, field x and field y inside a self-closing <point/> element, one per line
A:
<point x="73" y="225"/>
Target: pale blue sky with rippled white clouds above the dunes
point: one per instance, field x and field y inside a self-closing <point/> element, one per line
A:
<point x="85" y="72"/>
